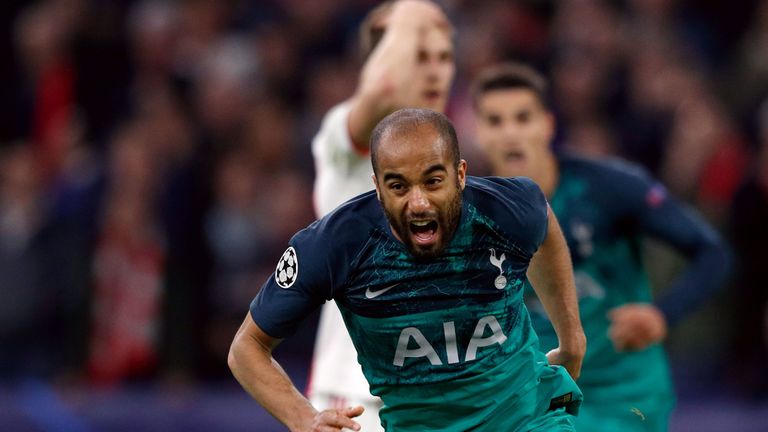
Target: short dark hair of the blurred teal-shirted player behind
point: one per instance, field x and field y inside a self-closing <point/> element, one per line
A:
<point x="508" y="76"/>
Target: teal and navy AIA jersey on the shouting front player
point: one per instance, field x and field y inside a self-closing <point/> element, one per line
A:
<point x="447" y="343"/>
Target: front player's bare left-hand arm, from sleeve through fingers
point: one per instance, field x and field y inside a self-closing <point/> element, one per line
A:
<point x="250" y="359"/>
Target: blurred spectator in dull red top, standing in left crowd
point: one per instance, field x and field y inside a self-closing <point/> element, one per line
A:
<point x="128" y="266"/>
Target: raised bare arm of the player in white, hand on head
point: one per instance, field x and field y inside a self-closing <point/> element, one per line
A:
<point x="386" y="81"/>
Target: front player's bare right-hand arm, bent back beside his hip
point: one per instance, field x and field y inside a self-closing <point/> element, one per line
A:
<point x="551" y="275"/>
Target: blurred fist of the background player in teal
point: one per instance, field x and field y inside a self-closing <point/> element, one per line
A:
<point x="635" y="326"/>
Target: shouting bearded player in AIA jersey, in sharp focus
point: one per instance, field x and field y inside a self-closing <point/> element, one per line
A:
<point x="428" y="271"/>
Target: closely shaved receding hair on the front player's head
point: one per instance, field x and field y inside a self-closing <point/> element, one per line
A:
<point x="408" y="120"/>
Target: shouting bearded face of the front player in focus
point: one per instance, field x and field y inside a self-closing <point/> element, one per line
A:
<point x="420" y="189"/>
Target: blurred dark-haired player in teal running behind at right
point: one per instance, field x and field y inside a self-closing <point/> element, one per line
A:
<point x="605" y="207"/>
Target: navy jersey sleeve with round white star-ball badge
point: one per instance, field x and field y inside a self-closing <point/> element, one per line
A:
<point x="303" y="280"/>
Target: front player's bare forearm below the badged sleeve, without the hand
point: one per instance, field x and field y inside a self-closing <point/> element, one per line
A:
<point x="263" y="378"/>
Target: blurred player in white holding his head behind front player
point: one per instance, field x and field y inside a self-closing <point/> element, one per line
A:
<point x="409" y="64"/>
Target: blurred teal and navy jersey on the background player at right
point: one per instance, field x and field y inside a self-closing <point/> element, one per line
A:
<point x="605" y="209"/>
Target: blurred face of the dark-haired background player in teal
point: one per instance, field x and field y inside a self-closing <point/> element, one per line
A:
<point x="515" y="130"/>
